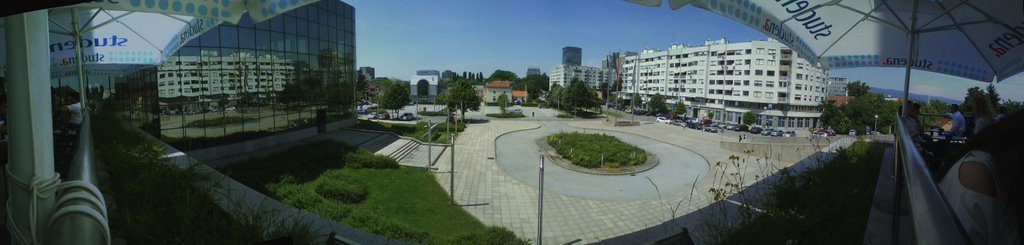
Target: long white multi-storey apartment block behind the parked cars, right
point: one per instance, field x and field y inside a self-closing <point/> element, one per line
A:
<point x="726" y="80"/>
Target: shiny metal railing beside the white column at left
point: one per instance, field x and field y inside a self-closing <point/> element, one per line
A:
<point x="80" y="217"/>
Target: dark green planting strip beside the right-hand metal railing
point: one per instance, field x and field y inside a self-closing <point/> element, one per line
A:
<point x="827" y="206"/>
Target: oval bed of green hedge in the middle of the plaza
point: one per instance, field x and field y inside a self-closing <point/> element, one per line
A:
<point x="586" y="150"/>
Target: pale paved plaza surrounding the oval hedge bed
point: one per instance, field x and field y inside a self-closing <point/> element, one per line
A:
<point x="500" y="187"/>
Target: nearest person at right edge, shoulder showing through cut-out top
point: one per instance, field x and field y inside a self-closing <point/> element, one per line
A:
<point x="983" y="183"/>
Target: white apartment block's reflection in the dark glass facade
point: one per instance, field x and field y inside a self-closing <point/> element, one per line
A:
<point x="211" y="77"/>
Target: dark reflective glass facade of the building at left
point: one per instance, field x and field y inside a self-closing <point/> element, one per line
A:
<point x="248" y="79"/>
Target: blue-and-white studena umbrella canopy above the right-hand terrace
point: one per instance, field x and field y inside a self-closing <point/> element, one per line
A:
<point x="979" y="39"/>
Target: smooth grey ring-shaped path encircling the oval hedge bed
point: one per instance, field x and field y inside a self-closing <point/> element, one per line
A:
<point x="678" y="171"/>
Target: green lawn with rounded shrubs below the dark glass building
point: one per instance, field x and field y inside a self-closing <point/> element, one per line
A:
<point x="405" y="203"/>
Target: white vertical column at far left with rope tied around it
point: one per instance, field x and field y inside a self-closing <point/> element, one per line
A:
<point x="33" y="181"/>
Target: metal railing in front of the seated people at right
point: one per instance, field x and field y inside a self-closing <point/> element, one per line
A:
<point x="934" y="221"/>
